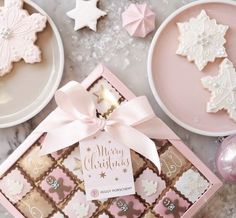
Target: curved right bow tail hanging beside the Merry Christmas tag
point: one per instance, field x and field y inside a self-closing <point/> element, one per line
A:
<point x="136" y="141"/>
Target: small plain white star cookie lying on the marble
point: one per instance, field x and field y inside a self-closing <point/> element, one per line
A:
<point x="86" y="14"/>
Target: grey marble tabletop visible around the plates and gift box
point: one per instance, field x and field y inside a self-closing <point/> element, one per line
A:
<point x="126" y="57"/>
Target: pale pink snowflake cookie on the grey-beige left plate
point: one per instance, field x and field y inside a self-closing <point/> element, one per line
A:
<point x="17" y="35"/>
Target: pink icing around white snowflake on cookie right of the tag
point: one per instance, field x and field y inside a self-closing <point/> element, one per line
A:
<point x="149" y="175"/>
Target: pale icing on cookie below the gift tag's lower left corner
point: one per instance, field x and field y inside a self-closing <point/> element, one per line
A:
<point x="79" y="198"/>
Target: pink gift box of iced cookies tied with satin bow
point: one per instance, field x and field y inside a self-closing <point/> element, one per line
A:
<point x="44" y="178"/>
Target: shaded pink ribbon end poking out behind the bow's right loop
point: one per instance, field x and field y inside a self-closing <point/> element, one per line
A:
<point x="155" y="128"/>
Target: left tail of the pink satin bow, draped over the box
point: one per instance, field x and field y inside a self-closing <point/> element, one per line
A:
<point x="66" y="136"/>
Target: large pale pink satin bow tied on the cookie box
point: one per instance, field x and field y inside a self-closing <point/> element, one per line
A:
<point x="132" y="124"/>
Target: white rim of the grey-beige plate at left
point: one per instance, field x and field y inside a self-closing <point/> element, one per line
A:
<point x="60" y="71"/>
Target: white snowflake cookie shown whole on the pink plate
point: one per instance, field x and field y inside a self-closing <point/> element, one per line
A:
<point x="202" y="40"/>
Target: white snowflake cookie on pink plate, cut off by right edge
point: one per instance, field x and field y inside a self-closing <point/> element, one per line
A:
<point x="223" y="89"/>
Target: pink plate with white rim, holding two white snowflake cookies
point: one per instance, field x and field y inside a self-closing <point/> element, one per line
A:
<point x="175" y="82"/>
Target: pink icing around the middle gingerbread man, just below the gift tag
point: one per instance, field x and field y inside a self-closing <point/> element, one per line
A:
<point x="114" y="209"/>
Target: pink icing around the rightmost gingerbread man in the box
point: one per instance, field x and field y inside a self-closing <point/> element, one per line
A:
<point x="160" y="209"/>
